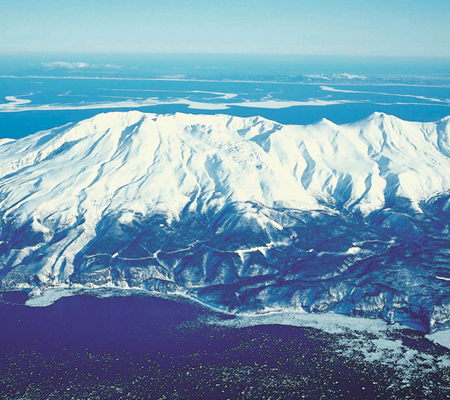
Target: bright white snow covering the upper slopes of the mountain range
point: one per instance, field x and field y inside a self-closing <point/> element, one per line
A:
<point x="136" y="164"/>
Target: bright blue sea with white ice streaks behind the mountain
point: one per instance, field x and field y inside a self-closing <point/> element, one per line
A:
<point x="38" y="93"/>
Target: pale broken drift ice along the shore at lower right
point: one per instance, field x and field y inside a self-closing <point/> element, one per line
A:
<point x="368" y="340"/>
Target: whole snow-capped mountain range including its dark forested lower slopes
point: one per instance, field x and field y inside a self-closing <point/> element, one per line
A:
<point x="242" y="213"/>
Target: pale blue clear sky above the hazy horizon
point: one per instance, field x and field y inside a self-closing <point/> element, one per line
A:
<point x="322" y="27"/>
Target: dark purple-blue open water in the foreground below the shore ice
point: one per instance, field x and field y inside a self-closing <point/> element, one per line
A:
<point x="149" y="348"/>
